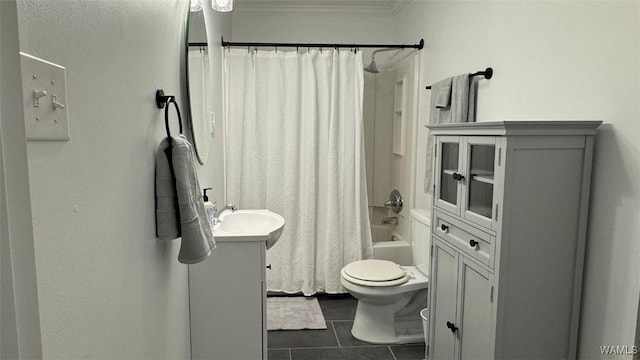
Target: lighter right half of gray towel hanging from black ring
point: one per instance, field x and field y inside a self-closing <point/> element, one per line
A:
<point x="197" y="239"/>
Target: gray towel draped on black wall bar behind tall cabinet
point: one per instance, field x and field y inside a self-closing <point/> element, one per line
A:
<point x="461" y="109"/>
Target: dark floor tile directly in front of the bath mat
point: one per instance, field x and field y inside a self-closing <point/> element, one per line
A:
<point x="279" y="339"/>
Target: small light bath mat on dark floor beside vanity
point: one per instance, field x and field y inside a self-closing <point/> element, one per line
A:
<point x="294" y="313"/>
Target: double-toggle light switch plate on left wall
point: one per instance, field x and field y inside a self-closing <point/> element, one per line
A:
<point x="44" y="92"/>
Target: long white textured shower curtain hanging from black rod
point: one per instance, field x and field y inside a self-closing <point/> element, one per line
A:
<point x="295" y="146"/>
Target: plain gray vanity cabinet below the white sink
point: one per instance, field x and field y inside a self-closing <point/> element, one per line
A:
<point x="227" y="296"/>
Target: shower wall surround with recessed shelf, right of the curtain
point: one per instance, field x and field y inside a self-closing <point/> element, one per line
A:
<point x="390" y="103"/>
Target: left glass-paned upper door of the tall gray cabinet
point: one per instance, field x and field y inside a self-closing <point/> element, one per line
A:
<point x="448" y="167"/>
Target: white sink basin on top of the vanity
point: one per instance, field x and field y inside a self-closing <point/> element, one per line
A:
<point x="249" y="225"/>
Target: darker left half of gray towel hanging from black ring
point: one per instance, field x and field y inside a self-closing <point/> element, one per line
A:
<point x="167" y="217"/>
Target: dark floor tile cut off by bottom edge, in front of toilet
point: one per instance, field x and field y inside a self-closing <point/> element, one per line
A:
<point x="354" y="353"/>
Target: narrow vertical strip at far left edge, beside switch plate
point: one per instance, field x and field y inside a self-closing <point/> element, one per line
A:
<point x="19" y="315"/>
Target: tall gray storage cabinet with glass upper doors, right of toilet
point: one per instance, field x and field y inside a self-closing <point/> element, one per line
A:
<point x="508" y="236"/>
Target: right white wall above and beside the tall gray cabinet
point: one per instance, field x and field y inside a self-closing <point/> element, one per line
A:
<point x="559" y="60"/>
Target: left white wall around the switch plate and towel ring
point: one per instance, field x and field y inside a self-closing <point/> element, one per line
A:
<point x="107" y="288"/>
